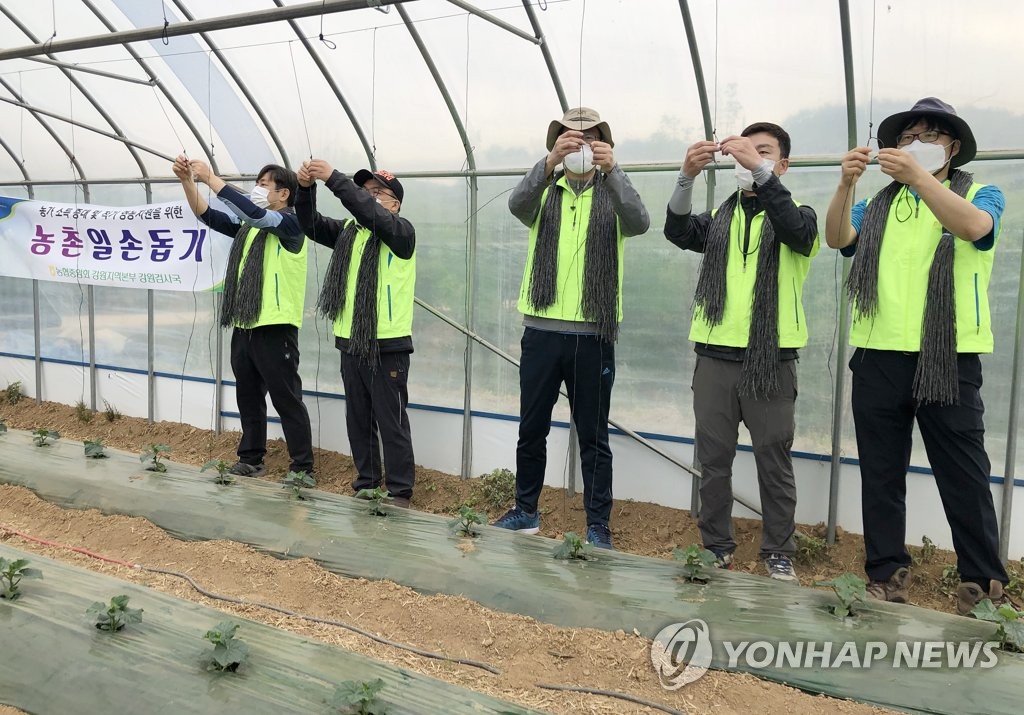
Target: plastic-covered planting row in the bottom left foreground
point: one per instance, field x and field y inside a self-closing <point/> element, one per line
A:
<point x="56" y="661"/>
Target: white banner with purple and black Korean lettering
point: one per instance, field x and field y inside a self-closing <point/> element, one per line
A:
<point x="159" y="246"/>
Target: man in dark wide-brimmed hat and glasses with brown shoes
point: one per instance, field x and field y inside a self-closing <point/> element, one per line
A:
<point x="923" y="258"/>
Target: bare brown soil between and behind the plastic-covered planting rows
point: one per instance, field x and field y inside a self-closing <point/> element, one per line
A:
<point x="527" y="652"/>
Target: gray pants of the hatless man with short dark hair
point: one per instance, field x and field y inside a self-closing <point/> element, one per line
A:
<point x="719" y="408"/>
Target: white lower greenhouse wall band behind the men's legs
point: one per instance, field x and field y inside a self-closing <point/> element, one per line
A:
<point x="641" y="474"/>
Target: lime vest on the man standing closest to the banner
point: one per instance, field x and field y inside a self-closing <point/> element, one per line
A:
<point x="284" y="282"/>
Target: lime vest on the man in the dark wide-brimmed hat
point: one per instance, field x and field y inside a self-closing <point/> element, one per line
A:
<point x="905" y="264"/>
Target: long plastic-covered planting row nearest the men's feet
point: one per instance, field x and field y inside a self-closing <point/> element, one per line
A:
<point x="513" y="573"/>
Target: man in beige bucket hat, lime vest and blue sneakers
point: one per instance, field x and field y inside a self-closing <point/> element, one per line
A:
<point x="572" y="305"/>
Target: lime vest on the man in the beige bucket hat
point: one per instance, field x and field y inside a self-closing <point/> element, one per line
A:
<point x="572" y="250"/>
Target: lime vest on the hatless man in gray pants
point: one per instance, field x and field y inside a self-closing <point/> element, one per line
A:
<point x="735" y="330"/>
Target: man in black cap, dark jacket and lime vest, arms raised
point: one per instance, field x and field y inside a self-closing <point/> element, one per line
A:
<point x="368" y="293"/>
